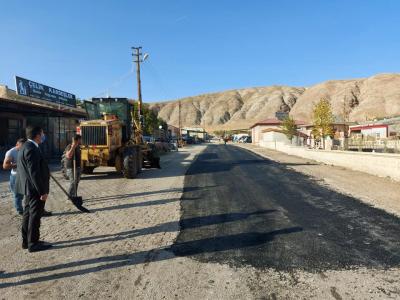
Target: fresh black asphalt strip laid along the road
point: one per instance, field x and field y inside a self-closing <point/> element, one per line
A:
<point x="241" y="209"/>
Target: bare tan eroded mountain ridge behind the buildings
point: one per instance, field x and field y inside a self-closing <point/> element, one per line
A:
<point x="359" y="99"/>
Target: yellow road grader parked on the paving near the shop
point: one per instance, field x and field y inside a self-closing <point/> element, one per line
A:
<point x="112" y="137"/>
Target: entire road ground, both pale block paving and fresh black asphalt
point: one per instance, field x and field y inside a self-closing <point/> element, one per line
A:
<point x="237" y="226"/>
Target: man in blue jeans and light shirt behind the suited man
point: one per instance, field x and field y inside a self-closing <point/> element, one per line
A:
<point x="10" y="163"/>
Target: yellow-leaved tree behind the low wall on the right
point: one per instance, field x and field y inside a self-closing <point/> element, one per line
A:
<point x="323" y="120"/>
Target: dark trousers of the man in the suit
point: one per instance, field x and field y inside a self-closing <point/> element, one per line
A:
<point x="31" y="220"/>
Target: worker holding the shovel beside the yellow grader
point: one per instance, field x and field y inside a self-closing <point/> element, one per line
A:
<point x="74" y="153"/>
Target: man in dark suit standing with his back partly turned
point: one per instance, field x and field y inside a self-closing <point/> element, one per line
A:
<point x="33" y="178"/>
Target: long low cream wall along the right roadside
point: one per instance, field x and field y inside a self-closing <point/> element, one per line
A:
<point x="379" y="164"/>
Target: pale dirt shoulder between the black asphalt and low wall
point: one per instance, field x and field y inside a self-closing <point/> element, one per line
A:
<point x="379" y="192"/>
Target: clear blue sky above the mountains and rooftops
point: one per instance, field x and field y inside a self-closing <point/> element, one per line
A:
<point x="195" y="47"/>
